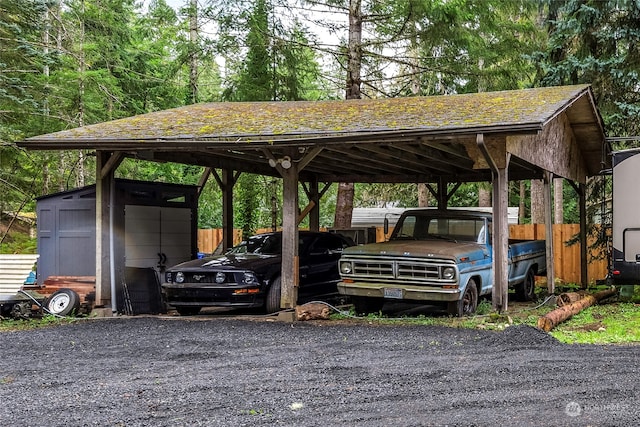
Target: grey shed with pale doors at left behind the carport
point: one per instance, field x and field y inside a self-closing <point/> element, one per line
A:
<point x="154" y="226"/>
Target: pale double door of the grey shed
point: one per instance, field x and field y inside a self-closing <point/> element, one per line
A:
<point x="157" y="237"/>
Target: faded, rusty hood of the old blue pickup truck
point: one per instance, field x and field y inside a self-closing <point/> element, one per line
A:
<point x="413" y="248"/>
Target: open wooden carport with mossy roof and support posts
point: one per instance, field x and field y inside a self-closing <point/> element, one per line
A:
<point x="443" y="141"/>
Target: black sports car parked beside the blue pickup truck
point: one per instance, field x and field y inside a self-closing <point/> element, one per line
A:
<point x="248" y="275"/>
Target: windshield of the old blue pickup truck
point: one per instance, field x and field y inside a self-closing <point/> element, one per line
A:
<point x="421" y="227"/>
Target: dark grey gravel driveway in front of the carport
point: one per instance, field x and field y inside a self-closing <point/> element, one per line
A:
<point x="217" y="371"/>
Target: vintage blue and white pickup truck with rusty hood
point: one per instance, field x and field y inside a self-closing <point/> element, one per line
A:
<point x="436" y="257"/>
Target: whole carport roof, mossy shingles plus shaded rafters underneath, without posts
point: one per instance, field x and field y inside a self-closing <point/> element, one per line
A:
<point x="414" y="139"/>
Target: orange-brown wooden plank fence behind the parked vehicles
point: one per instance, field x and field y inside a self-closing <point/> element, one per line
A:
<point x="566" y="260"/>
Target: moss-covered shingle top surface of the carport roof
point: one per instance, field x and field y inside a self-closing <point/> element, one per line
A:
<point x="262" y="120"/>
